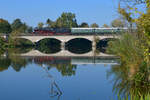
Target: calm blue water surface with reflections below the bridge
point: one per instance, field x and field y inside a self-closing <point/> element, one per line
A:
<point x="56" y="78"/>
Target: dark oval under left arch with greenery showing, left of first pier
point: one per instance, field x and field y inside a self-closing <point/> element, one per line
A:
<point x="48" y="45"/>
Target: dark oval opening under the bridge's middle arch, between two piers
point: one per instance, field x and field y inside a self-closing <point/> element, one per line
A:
<point x="79" y="45"/>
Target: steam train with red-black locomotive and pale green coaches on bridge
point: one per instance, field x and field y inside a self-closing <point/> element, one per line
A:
<point x="77" y="31"/>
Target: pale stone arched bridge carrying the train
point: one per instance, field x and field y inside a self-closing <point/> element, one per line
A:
<point x="65" y="38"/>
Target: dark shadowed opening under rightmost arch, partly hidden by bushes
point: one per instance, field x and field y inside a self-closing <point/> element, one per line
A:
<point x="102" y="45"/>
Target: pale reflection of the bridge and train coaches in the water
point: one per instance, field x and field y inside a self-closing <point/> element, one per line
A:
<point x="64" y="57"/>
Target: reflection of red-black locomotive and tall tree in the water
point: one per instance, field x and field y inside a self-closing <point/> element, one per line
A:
<point x="62" y="64"/>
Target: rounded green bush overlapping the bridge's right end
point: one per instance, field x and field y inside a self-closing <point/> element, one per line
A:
<point x="129" y="48"/>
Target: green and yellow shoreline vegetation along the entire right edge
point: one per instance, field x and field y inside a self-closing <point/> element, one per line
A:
<point x="132" y="77"/>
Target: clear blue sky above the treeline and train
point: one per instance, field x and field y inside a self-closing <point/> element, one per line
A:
<point x="34" y="11"/>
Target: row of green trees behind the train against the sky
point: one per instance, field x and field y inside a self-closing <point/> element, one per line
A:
<point x="66" y="20"/>
